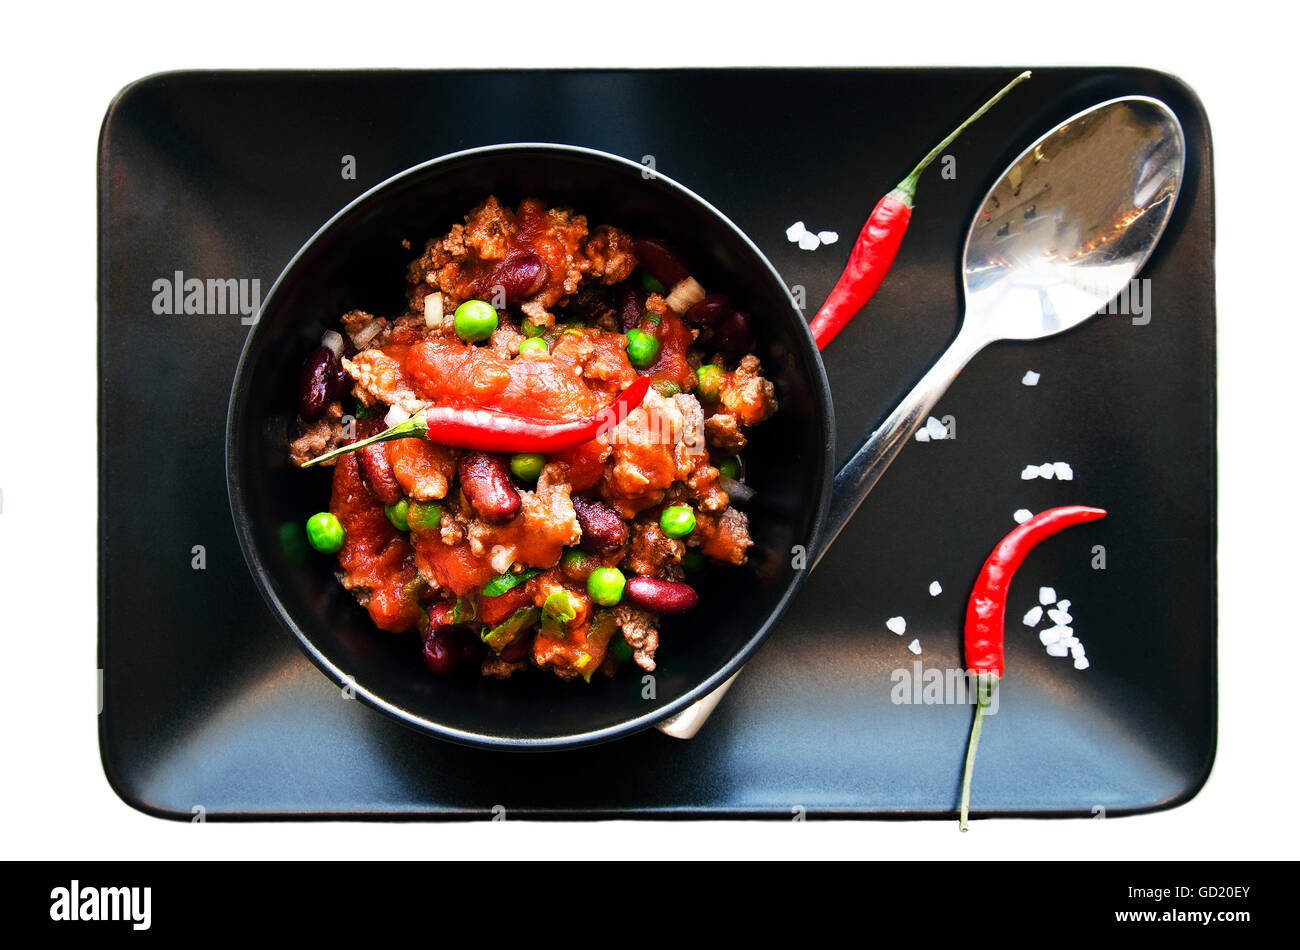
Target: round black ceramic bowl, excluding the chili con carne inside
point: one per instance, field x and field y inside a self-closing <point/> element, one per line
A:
<point x="357" y="261"/>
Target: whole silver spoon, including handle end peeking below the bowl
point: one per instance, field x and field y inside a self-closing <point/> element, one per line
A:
<point x="1067" y="228"/>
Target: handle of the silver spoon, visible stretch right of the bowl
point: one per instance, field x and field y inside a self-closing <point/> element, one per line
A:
<point x="861" y="474"/>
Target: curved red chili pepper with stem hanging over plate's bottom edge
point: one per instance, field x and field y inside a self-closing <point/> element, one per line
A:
<point x="986" y="615"/>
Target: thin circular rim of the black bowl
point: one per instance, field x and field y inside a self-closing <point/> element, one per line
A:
<point x="820" y="389"/>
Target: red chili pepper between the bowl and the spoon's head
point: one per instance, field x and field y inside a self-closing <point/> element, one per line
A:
<point x="878" y="244"/>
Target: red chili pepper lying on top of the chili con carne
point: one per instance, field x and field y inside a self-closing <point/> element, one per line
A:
<point x="501" y="432"/>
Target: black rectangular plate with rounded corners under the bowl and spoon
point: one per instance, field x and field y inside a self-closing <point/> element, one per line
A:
<point x="209" y="704"/>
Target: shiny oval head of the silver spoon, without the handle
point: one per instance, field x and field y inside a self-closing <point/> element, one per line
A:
<point x="1073" y="220"/>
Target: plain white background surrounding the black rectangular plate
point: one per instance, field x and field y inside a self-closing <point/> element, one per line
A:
<point x="63" y="66"/>
